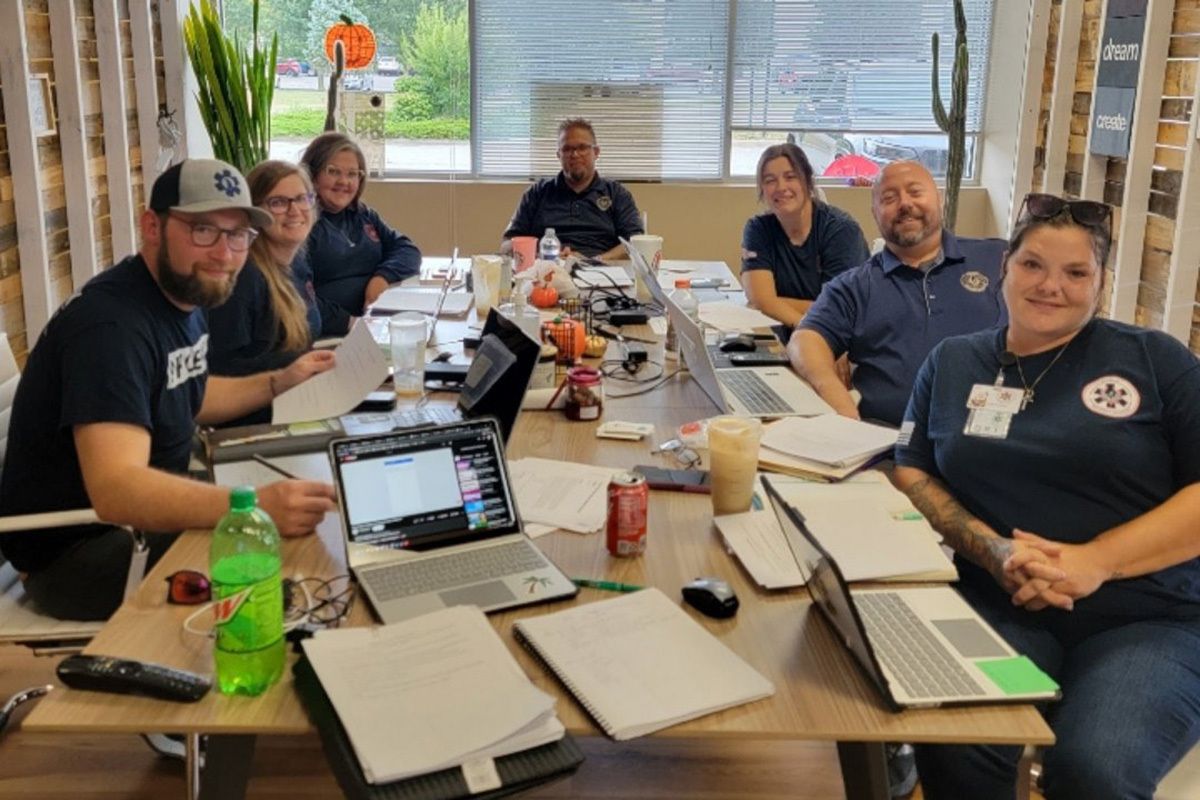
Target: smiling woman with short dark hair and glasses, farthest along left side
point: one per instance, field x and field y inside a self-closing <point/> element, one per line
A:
<point x="353" y="252"/>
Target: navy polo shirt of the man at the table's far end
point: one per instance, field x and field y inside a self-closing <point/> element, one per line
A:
<point x="590" y="221"/>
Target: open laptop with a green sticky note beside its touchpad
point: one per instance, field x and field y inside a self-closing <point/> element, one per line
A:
<point x="921" y="647"/>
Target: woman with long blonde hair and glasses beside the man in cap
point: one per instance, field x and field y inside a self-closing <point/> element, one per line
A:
<point x="272" y="318"/>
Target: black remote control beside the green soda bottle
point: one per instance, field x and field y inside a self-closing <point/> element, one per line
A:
<point x="127" y="677"/>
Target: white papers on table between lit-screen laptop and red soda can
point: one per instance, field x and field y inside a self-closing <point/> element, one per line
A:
<point x="562" y="495"/>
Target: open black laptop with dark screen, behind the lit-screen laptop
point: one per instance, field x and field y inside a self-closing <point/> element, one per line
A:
<point x="495" y="386"/>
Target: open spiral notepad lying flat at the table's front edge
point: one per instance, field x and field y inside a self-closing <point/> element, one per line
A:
<point x="640" y="664"/>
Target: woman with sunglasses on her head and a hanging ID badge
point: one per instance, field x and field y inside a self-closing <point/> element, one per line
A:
<point x="1060" y="458"/>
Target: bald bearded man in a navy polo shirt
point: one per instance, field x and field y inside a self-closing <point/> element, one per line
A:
<point x="889" y="314"/>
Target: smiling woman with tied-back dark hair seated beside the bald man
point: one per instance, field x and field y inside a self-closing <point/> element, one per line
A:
<point x="793" y="250"/>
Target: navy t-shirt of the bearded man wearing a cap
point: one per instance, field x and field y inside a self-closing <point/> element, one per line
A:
<point x="117" y="352"/>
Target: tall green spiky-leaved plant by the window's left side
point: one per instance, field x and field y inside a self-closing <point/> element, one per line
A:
<point x="237" y="86"/>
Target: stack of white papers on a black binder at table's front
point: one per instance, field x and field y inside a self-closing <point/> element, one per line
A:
<point x="430" y="708"/>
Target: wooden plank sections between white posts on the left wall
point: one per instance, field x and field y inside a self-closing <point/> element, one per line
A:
<point x="55" y="184"/>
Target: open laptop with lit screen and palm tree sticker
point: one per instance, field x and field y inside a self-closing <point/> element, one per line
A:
<point x="430" y="521"/>
